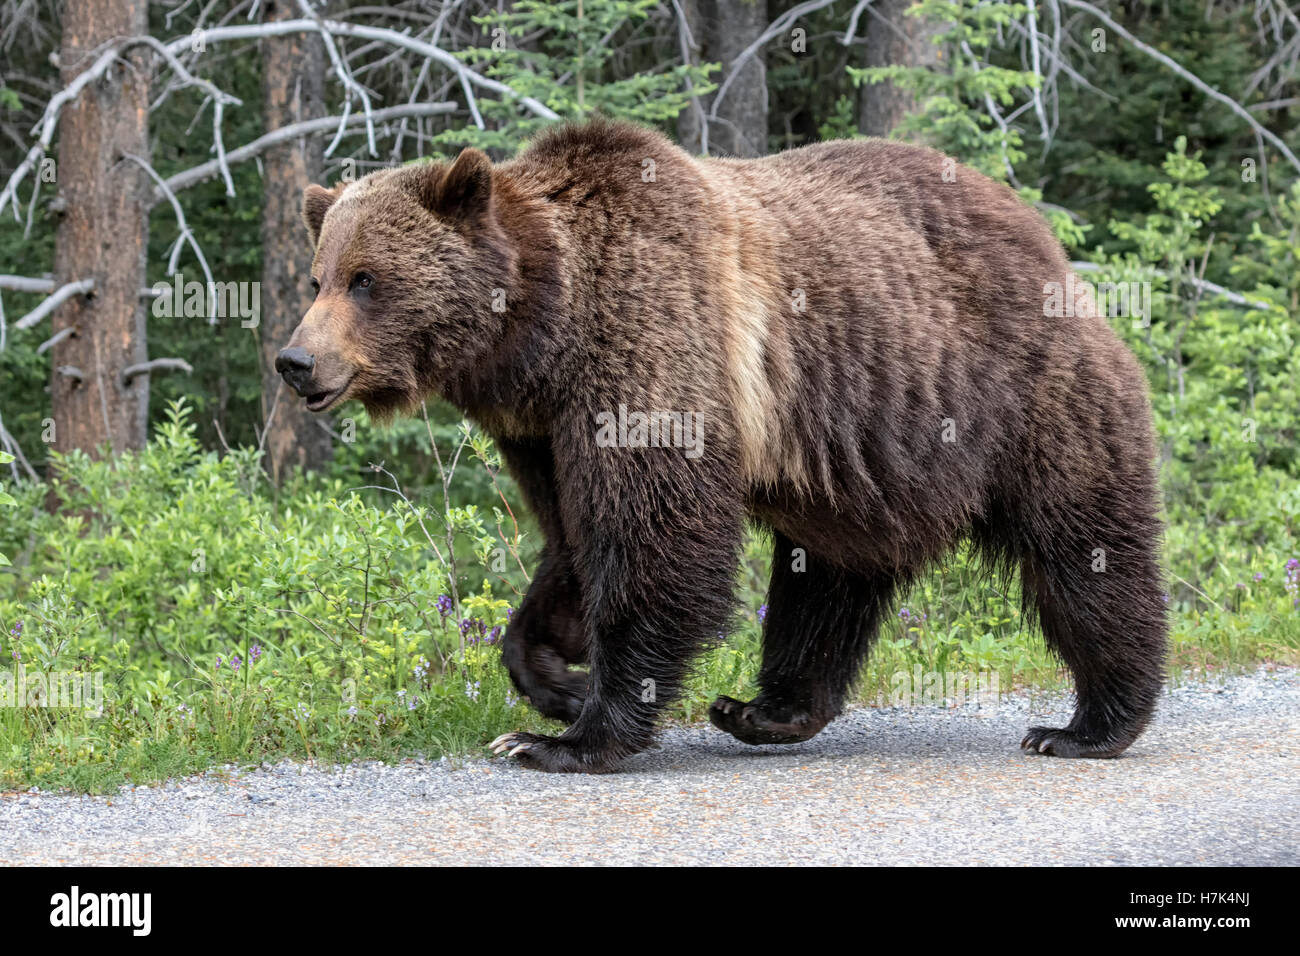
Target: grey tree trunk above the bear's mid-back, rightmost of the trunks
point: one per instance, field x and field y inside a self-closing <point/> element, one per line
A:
<point x="883" y="106"/>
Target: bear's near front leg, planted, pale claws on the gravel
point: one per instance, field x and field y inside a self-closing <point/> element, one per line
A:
<point x="656" y="540"/>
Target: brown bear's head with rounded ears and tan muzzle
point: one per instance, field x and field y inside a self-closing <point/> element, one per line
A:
<point x="409" y="269"/>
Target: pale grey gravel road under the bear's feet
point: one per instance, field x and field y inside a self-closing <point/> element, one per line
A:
<point x="1215" y="781"/>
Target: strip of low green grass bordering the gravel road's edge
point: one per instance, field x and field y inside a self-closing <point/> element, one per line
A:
<point x="274" y="710"/>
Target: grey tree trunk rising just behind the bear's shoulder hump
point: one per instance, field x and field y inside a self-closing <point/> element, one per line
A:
<point x="722" y="31"/>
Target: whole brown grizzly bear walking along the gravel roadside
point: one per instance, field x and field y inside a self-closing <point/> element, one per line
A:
<point x="850" y="345"/>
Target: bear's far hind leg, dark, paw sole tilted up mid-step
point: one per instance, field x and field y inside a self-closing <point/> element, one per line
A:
<point x="821" y="624"/>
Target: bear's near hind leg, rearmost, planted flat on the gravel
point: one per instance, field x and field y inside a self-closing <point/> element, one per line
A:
<point x="1099" y="600"/>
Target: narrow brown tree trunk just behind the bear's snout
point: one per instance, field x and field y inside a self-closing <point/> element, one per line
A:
<point x="292" y="90"/>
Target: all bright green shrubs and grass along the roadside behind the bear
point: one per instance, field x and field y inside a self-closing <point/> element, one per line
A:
<point x="166" y="565"/>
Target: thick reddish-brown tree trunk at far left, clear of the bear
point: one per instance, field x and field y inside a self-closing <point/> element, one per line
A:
<point x="102" y="235"/>
